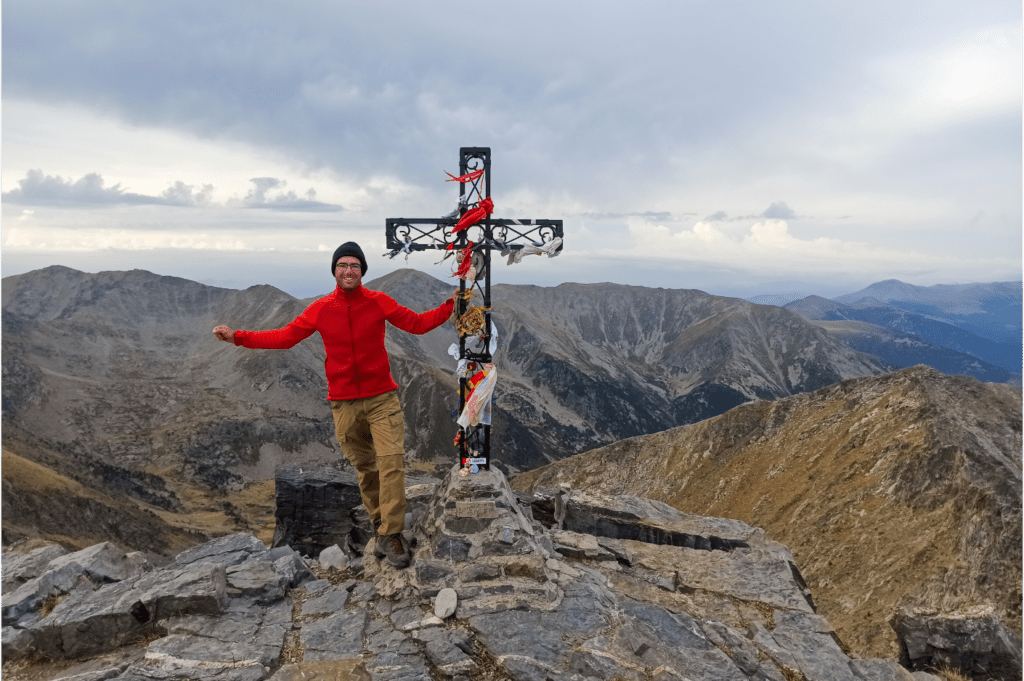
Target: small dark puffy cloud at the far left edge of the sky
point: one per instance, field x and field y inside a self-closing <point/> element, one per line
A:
<point x="41" y="190"/>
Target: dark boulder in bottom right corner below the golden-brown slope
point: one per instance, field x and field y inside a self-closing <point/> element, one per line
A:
<point x="975" y="643"/>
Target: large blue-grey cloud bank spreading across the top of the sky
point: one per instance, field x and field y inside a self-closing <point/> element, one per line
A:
<point x="374" y="89"/>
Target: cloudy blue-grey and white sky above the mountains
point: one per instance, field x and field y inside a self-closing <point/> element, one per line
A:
<point x="739" y="148"/>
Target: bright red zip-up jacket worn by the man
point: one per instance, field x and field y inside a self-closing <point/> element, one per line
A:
<point x="352" y="324"/>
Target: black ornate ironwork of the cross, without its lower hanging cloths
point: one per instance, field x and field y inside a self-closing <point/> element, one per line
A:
<point x="506" y="236"/>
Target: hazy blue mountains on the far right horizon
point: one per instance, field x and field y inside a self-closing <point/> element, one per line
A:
<point x="971" y="329"/>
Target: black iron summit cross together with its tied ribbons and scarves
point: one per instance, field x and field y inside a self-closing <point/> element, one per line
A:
<point x="472" y="234"/>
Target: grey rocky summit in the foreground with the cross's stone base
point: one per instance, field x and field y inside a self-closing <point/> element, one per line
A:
<point x="557" y="585"/>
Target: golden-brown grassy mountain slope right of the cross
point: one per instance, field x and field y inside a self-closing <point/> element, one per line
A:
<point x="894" y="492"/>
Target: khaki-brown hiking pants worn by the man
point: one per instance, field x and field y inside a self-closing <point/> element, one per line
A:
<point x="372" y="435"/>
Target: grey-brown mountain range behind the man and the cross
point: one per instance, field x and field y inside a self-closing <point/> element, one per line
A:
<point x="115" y="382"/>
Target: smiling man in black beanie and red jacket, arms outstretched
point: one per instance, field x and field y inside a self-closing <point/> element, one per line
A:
<point x="368" y="418"/>
